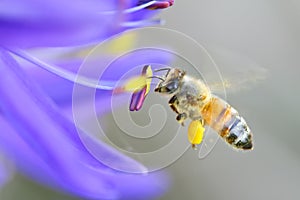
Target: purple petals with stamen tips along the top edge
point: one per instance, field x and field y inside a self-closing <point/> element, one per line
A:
<point x="31" y="23"/>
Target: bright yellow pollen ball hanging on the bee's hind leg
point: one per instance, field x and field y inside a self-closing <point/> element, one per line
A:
<point x="195" y="132"/>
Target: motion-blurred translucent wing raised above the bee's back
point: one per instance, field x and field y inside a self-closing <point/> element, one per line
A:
<point x="236" y="72"/>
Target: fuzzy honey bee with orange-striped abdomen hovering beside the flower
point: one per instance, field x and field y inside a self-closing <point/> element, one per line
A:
<point x="192" y="98"/>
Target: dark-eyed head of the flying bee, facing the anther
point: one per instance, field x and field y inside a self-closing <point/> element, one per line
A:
<point x="171" y="82"/>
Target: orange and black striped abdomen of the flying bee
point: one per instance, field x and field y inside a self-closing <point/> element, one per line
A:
<point x="228" y="123"/>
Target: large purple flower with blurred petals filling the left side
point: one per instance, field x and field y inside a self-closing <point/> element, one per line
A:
<point x="36" y="129"/>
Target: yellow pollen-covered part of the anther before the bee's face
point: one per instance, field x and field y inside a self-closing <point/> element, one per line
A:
<point x="139" y="82"/>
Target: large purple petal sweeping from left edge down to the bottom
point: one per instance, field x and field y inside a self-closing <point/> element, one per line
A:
<point x="46" y="146"/>
